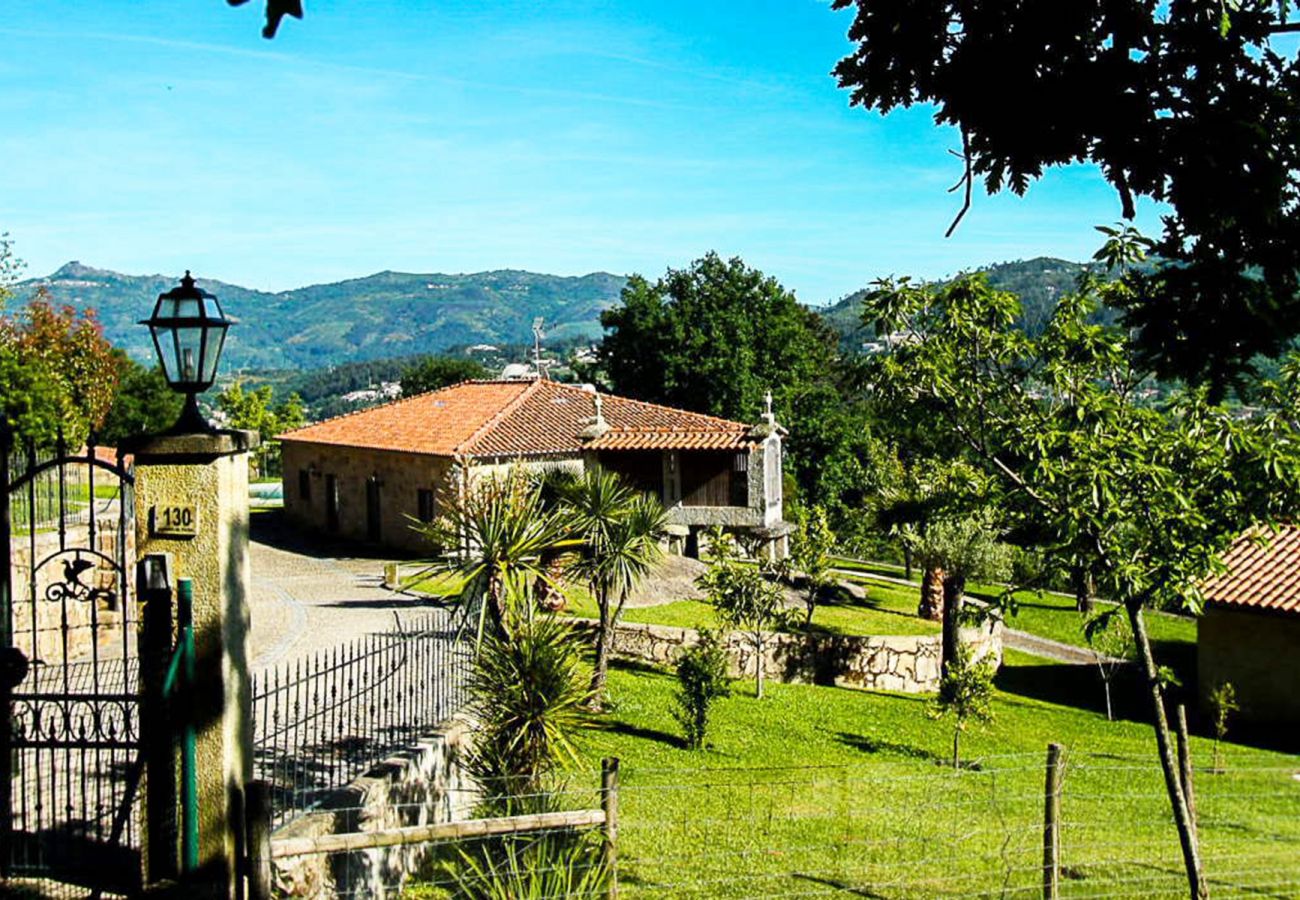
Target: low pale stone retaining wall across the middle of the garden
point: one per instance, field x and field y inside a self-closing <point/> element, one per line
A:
<point x="907" y="664"/>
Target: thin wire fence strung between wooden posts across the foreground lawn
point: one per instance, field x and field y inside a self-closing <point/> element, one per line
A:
<point x="887" y="832"/>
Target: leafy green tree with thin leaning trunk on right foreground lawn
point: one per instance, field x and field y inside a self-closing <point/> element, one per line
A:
<point x="1150" y="497"/>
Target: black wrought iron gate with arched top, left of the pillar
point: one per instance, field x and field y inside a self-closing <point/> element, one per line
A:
<point x="70" y="673"/>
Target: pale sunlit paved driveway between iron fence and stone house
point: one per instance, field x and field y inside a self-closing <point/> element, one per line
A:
<point x="309" y="596"/>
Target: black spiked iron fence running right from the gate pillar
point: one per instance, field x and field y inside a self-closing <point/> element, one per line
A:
<point x="322" y="721"/>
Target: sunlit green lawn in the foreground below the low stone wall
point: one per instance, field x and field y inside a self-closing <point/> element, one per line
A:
<point x="822" y="790"/>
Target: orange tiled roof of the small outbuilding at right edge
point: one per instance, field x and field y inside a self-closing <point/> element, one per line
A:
<point x="1263" y="572"/>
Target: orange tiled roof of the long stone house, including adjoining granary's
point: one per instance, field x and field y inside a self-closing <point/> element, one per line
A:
<point x="521" y="419"/>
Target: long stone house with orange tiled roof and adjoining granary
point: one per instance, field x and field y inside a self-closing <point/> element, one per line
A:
<point x="367" y="475"/>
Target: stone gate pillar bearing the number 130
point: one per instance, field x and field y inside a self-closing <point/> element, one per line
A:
<point x="192" y="503"/>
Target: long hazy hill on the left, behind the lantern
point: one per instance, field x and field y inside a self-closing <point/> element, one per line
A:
<point x="384" y="315"/>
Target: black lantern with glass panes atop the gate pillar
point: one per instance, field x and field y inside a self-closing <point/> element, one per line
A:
<point x="189" y="331"/>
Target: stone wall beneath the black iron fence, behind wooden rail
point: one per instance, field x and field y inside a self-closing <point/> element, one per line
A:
<point x="424" y="786"/>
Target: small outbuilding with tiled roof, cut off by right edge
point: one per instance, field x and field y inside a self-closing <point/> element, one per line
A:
<point x="1250" y="633"/>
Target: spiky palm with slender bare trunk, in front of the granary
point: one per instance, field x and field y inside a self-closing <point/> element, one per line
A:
<point x="621" y="531"/>
